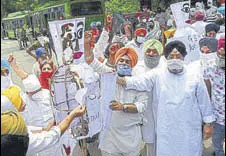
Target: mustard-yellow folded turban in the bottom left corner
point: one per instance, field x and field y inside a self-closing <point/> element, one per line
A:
<point x="13" y="123"/>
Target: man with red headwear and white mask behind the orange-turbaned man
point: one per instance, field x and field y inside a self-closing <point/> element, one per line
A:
<point x="138" y="42"/>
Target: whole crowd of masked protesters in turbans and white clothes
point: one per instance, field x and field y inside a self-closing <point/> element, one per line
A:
<point x="161" y="102"/>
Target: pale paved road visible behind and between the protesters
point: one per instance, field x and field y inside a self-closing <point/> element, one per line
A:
<point x="25" y="62"/>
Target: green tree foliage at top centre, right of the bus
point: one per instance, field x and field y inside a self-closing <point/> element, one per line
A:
<point x="124" y="6"/>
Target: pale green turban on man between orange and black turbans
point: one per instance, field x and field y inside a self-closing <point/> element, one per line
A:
<point x="153" y="43"/>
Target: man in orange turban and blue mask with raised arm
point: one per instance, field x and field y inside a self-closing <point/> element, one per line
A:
<point x="123" y="136"/>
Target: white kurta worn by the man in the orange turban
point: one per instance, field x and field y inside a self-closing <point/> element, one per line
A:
<point x="123" y="135"/>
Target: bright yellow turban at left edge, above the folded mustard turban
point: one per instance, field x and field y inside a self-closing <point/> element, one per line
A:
<point x="13" y="94"/>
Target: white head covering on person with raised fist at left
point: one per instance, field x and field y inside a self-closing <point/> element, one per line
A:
<point x="31" y="84"/>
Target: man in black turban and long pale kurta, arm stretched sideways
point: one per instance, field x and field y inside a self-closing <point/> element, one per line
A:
<point x="181" y="103"/>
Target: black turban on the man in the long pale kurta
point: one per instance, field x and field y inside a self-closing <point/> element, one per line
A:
<point x="175" y="44"/>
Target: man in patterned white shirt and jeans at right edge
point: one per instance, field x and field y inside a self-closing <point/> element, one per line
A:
<point x="214" y="75"/>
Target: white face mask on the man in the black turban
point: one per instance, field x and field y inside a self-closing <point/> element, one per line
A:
<point x="175" y="66"/>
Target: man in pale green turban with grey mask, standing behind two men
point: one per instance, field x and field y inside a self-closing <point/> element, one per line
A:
<point x="153" y="50"/>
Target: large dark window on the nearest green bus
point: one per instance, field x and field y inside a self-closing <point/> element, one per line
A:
<point x="86" y="8"/>
